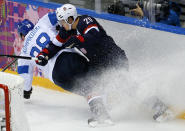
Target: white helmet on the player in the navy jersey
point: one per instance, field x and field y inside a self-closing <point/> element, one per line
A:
<point x="66" y="11"/>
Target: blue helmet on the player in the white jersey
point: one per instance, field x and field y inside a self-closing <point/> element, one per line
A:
<point x="24" y="27"/>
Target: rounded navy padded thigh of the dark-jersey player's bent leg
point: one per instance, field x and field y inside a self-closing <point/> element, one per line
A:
<point x="68" y="67"/>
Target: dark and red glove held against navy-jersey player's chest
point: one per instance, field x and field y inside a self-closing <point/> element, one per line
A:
<point x="74" y="41"/>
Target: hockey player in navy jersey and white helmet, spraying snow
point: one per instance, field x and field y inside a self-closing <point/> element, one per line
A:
<point x="100" y="53"/>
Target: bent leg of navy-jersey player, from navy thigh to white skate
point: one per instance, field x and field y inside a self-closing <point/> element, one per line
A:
<point x="70" y="72"/>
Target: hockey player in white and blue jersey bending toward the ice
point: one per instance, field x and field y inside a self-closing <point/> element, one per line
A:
<point x="35" y="39"/>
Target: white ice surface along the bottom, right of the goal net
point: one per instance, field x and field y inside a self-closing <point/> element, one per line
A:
<point x="49" y="110"/>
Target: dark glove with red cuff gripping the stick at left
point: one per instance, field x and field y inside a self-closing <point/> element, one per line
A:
<point x="42" y="58"/>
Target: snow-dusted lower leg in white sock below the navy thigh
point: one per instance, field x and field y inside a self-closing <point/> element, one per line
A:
<point x="94" y="94"/>
